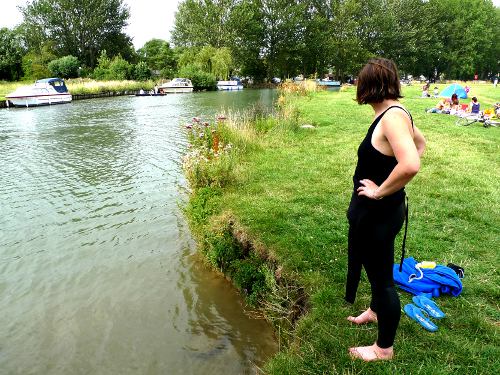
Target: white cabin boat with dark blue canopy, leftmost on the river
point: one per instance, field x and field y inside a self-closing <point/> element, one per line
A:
<point x="46" y="91"/>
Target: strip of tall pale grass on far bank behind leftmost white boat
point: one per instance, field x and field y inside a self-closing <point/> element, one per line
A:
<point x="84" y="86"/>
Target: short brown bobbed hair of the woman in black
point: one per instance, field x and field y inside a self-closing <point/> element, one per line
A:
<point x="377" y="81"/>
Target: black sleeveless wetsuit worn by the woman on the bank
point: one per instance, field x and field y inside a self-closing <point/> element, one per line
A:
<point x="373" y="226"/>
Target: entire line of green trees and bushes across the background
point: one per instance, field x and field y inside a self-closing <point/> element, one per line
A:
<point x="261" y="39"/>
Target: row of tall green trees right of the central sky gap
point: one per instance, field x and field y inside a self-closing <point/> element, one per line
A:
<point x="286" y="37"/>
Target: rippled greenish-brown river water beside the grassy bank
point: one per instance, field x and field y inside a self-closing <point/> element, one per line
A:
<point x="98" y="271"/>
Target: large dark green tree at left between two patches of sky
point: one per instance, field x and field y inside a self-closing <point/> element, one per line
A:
<point x="78" y="28"/>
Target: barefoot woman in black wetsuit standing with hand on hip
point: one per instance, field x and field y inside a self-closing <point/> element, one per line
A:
<point x="388" y="158"/>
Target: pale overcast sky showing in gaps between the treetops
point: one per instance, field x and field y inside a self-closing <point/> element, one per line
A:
<point x="148" y="18"/>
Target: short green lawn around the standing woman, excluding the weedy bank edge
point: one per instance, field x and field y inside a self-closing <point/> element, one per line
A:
<point x="291" y="194"/>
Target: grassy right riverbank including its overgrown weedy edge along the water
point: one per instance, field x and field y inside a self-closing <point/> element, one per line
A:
<point x="283" y="192"/>
